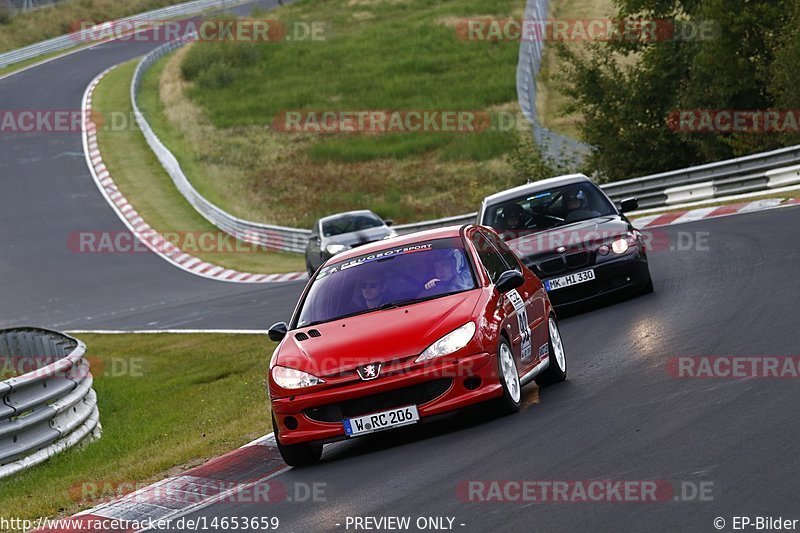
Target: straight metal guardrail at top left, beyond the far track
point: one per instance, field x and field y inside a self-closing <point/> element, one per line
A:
<point x="72" y="40"/>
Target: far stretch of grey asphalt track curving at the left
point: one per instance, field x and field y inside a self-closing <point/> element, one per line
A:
<point x="48" y="193"/>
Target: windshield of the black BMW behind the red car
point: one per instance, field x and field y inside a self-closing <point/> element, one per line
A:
<point x="547" y="209"/>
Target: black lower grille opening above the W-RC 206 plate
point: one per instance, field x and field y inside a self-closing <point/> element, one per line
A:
<point x="413" y="395"/>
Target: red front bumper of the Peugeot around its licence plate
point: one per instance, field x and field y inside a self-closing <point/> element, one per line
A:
<point x="460" y="392"/>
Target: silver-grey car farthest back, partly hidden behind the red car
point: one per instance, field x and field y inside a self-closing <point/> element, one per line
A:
<point x="334" y="234"/>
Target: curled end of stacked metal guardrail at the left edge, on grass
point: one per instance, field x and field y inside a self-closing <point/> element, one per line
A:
<point x="49" y="408"/>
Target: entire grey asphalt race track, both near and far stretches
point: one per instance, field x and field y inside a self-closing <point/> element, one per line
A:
<point x="621" y="415"/>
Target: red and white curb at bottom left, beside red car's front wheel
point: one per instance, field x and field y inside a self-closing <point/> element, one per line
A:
<point x="241" y="476"/>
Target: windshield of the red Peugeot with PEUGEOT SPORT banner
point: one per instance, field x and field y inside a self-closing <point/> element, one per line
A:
<point x="391" y="277"/>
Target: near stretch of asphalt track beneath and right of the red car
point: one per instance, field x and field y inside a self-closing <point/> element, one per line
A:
<point x="620" y="416"/>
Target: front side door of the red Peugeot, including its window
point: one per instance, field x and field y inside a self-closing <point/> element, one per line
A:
<point x="514" y="311"/>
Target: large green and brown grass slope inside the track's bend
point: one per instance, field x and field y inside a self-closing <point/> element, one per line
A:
<point x="215" y="103"/>
